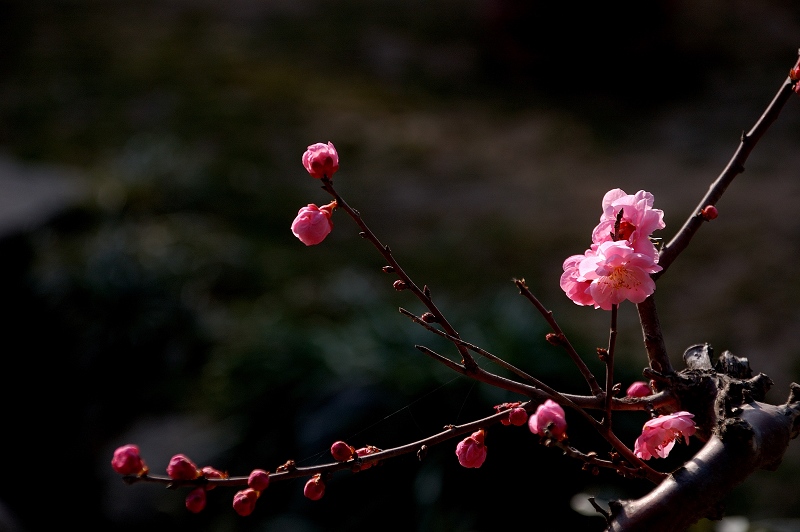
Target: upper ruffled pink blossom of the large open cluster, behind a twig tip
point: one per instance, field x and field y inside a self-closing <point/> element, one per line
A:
<point x="639" y="220"/>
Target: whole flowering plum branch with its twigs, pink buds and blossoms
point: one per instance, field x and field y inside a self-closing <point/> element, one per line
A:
<point x="740" y="431"/>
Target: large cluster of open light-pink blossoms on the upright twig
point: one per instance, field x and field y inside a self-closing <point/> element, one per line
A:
<point x="618" y="264"/>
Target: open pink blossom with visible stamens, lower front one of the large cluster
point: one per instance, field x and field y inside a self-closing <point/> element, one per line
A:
<point x="618" y="273"/>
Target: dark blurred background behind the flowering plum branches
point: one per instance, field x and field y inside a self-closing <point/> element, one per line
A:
<point x="154" y="294"/>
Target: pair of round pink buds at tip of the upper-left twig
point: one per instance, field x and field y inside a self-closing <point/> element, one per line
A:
<point x="313" y="223"/>
